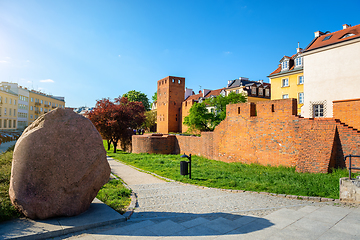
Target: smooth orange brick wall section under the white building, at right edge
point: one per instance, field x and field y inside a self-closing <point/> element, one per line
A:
<point x="348" y="112"/>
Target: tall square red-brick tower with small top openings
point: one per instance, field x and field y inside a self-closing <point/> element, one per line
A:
<point x="170" y="95"/>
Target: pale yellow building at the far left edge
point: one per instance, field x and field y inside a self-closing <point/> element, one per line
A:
<point x="8" y="109"/>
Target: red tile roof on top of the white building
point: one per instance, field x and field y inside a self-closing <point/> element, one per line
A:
<point x="336" y="37"/>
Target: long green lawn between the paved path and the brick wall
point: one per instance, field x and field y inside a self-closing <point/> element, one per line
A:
<point x="250" y="177"/>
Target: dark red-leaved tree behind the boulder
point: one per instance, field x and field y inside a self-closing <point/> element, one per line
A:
<point x="116" y="120"/>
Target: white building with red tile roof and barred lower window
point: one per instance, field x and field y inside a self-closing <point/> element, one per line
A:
<point x="331" y="70"/>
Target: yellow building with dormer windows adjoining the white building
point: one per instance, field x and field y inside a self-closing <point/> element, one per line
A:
<point x="287" y="81"/>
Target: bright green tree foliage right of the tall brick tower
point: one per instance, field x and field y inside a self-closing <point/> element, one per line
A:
<point x="201" y="119"/>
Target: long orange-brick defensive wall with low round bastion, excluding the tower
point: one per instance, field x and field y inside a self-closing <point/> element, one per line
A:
<point x="270" y="133"/>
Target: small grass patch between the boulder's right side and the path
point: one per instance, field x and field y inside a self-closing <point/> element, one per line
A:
<point x="115" y="195"/>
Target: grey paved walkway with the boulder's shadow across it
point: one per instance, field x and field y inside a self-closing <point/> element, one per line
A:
<point x="169" y="210"/>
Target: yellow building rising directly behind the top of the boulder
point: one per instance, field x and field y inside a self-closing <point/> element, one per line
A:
<point x="40" y="103"/>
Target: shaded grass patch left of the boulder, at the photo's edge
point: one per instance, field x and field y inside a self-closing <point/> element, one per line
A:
<point x="7" y="210"/>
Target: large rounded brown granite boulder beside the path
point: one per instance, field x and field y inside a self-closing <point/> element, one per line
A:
<point x="58" y="167"/>
